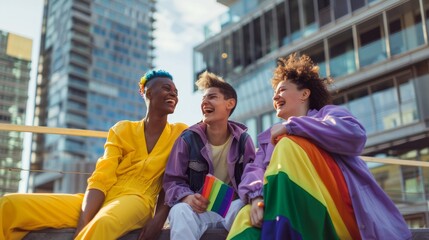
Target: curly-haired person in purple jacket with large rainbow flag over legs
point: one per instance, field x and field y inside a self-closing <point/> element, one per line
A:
<point x="289" y="192"/>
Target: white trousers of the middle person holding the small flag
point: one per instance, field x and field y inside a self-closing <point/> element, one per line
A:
<point x="186" y="224"/>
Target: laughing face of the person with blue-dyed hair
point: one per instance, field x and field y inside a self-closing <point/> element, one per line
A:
<point x="162" y="95"/>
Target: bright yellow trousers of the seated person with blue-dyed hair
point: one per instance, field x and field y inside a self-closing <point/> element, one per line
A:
<point x="20" y="213"/>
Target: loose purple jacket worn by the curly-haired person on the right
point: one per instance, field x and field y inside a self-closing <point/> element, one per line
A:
<point x="335" y="130"/>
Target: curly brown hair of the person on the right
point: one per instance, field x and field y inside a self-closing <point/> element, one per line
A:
<point x="305" y="74"/>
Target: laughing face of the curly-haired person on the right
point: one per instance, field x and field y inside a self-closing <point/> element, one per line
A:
<point x="289" y="101"/>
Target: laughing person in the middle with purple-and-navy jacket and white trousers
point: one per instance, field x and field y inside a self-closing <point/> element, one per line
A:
<point x="216" y="146"/>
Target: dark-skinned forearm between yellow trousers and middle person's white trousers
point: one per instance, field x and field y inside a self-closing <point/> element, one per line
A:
<point x="152" y="229"/>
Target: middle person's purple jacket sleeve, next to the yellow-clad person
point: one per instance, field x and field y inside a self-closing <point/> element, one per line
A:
<point x="175" y="182"/>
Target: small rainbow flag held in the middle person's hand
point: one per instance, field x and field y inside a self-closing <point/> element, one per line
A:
<point x="218" y="193"/>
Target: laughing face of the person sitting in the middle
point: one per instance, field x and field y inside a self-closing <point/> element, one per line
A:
<point x="215" y="107"/>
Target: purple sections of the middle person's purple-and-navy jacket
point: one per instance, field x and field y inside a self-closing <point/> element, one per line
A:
<point x="176" y="185"/>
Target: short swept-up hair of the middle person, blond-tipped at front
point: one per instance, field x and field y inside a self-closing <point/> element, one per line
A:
<point x="208" y="80"/>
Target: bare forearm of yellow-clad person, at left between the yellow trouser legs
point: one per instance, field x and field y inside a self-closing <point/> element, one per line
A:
<point x="92" y="203"/>
